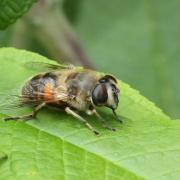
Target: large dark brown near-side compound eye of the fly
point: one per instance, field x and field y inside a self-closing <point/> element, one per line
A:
<point x="100" y="95"/>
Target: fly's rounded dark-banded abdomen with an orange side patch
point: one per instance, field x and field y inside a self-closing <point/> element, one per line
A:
<point x="40" y="88"/>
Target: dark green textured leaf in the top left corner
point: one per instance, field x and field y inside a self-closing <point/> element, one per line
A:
<point x="11" y="10"/>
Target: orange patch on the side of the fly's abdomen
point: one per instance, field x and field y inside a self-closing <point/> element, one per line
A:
<point x="48" y="92"/>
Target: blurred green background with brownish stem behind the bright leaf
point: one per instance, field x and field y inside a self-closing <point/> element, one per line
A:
<point x="136" y="40"/>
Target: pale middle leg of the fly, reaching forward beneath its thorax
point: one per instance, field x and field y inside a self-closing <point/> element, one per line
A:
<point x="77" y="116"/>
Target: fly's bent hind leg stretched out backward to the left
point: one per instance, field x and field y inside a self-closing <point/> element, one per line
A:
<point x="29" y="116"/>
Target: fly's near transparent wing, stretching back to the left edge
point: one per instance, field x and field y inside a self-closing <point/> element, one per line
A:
<point x="11" y="100"/>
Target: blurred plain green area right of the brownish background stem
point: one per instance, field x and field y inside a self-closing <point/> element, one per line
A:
<point x="131" y="38"/>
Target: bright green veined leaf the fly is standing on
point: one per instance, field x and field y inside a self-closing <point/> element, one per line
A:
<point x="56" y="146"/>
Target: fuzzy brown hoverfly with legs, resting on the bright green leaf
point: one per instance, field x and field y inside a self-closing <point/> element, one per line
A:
<point x="73" y="90"/>
